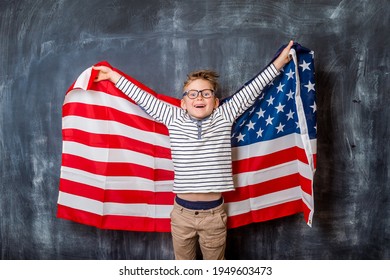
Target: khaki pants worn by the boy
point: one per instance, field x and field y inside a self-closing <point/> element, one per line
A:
<point x="206" y="226"/>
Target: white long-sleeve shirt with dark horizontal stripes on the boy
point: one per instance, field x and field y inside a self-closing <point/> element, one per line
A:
<point x="201" y="149"/>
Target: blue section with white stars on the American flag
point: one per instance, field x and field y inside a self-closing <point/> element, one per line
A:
<point x="275" y="112"/>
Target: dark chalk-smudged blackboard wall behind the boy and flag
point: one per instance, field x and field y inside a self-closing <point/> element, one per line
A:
<point x="45" y="45"/>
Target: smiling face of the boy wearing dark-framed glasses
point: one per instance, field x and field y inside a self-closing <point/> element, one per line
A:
<point x="200" y="107"/>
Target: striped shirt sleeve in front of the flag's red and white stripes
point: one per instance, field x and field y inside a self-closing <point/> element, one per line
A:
<point x="156" y="108"/>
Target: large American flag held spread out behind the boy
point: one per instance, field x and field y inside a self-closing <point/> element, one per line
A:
<point x="117" y="173"/>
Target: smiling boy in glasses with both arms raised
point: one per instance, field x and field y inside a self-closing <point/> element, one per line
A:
<point x="200" y="133"/>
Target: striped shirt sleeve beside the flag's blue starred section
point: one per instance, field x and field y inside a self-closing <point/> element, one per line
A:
<point x="247" y="95"/>
